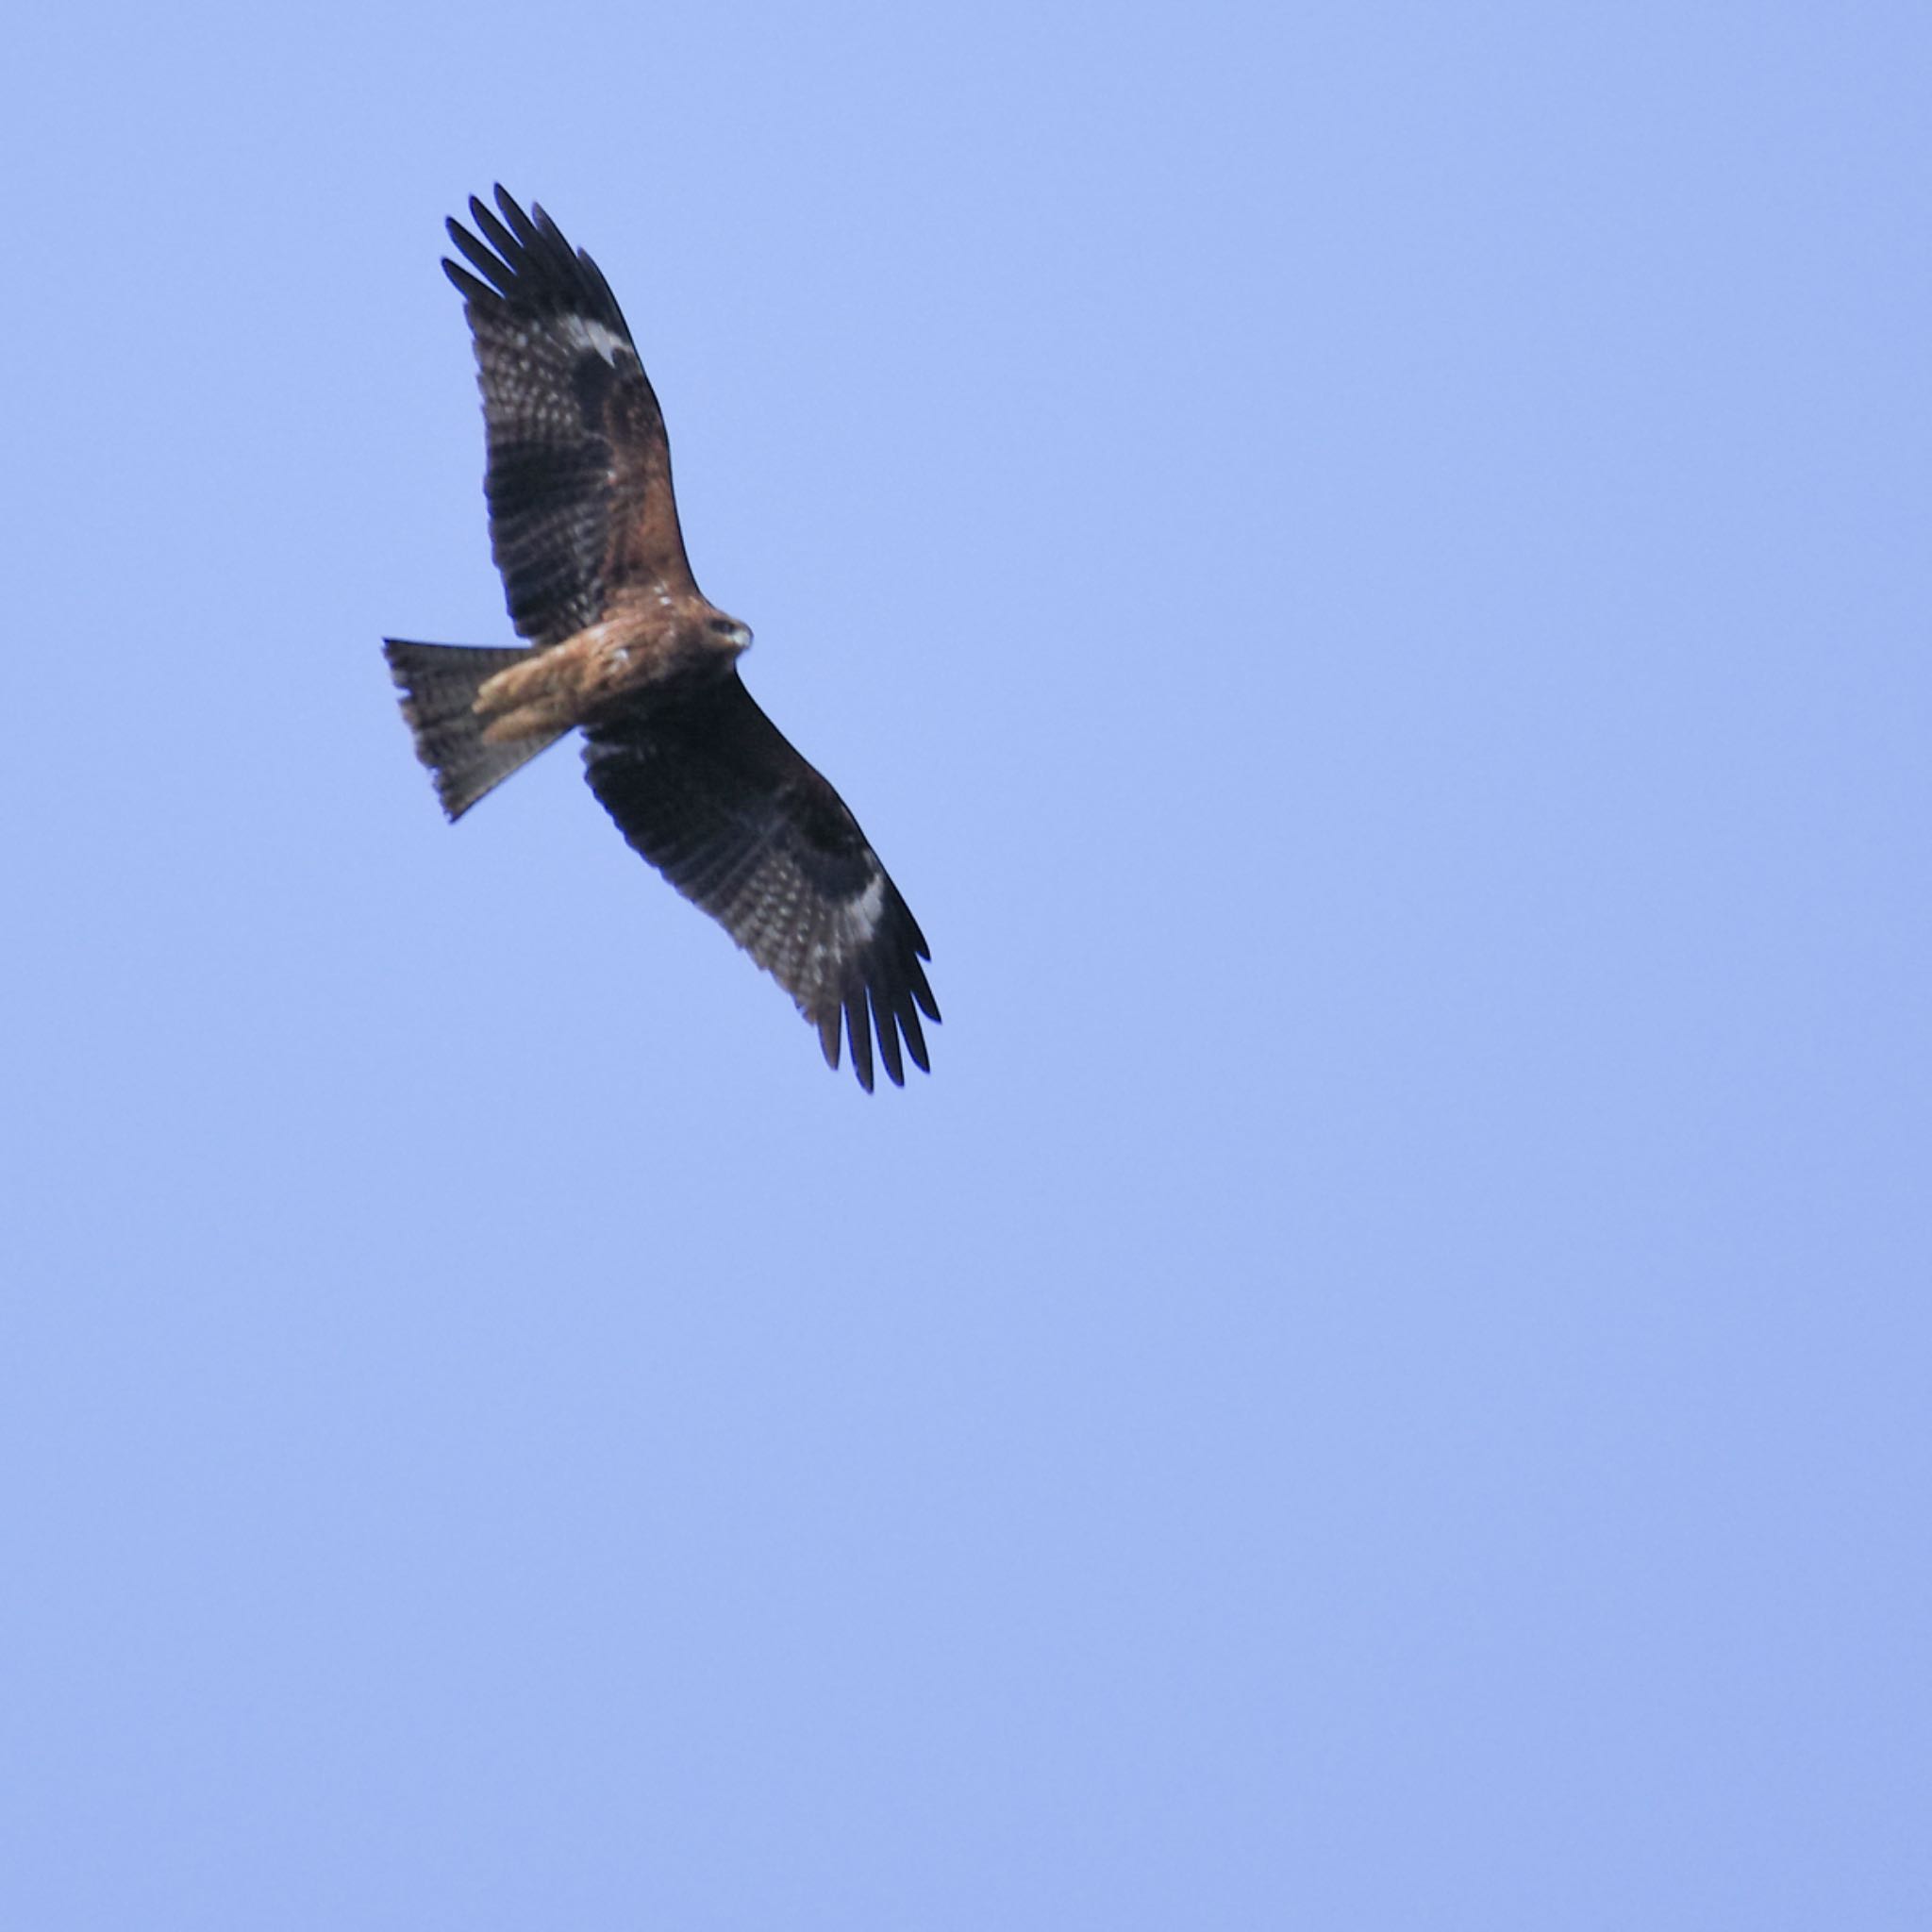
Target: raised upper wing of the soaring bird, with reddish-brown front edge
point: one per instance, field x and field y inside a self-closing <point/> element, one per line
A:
<point x="579" y="480"/>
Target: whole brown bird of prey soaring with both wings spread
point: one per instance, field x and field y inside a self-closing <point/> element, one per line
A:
<point x="623" y="646"/>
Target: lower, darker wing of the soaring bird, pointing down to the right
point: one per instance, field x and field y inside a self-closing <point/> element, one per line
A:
<point x="718" y="801"/>
